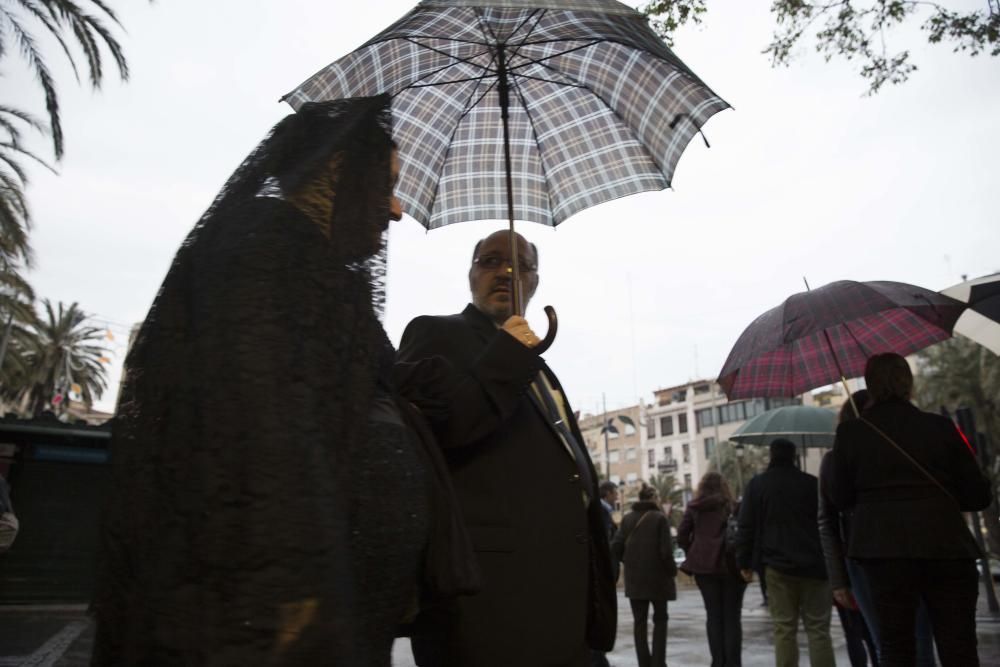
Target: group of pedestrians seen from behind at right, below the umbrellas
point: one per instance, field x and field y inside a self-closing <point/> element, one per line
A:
<point x="879" y="536"/>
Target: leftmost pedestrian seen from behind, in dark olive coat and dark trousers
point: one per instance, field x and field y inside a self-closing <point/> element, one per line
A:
<point x="644" y="544"/>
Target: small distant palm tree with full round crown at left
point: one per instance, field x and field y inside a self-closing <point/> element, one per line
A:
<point x="64" y="353"/>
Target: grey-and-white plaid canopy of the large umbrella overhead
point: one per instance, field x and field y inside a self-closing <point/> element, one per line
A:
<point x="600" y="108"/>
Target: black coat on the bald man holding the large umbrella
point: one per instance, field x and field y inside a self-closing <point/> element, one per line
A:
<point x="543" y="552"/>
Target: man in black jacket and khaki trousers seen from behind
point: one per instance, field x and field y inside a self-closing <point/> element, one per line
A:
<point x="779" y="532"/>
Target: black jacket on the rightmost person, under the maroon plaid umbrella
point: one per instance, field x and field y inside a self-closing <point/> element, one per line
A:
<point x="897" y="511"/>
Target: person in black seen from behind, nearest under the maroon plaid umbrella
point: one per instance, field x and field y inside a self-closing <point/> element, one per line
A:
<point x="906" y="476"/>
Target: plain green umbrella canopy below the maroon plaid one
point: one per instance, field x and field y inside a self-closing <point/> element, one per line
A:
<point x="805" y="425"/>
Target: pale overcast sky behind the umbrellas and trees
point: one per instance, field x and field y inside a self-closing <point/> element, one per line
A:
<point x="805" y="177"/>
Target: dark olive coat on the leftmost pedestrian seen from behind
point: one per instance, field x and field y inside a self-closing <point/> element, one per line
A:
<point x="643" y="543"/>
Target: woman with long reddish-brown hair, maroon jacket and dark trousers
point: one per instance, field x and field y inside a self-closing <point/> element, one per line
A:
<point x="702" y="535"/>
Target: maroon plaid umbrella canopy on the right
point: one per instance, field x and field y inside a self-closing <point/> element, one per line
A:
<point x="798" y="345"/>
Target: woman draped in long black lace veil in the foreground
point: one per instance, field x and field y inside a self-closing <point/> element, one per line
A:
<point x="269" y="505"/>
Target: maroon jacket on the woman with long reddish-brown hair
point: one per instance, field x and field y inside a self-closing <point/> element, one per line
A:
<point x="702" y="535"/>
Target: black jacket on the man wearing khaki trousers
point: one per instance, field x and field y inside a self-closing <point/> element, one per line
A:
<point x="777" y="524"/>
